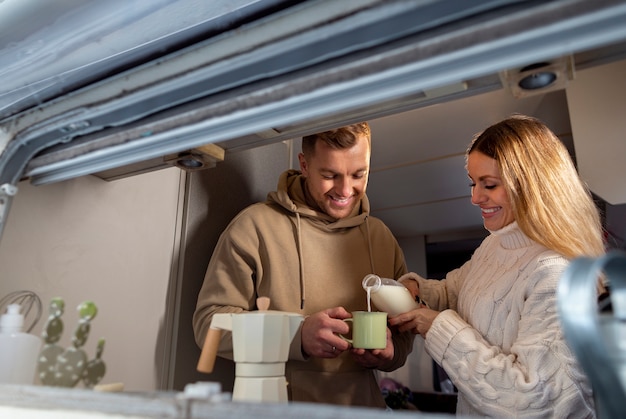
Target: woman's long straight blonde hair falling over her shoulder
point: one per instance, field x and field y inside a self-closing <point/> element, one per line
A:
<point x="550" y="202"/>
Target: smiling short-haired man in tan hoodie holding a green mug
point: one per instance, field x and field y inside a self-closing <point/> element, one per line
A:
<point x="307" y="248"/>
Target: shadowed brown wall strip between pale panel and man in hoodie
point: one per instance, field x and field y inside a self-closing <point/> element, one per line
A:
<point x="213" y="198"/>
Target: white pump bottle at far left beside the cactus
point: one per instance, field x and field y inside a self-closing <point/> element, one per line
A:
<point x="18" y="350"/>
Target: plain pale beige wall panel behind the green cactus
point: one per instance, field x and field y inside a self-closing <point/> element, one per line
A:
<point x="109" y="242"/>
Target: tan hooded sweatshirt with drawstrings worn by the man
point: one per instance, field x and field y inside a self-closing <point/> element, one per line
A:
<point x="305" y="262"/>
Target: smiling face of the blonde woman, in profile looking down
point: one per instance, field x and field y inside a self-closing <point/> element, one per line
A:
<point x="488" y="192"/>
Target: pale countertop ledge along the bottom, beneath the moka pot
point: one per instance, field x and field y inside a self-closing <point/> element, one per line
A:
<point x="51" y="403"/>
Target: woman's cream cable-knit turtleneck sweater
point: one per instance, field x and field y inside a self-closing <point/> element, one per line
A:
<point x="499" y="337"/>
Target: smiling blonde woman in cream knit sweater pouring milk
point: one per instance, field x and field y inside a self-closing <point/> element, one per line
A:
<point x="493" y="323"/>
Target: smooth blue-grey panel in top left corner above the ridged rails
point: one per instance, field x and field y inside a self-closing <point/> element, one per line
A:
<point x="66" y="44"/>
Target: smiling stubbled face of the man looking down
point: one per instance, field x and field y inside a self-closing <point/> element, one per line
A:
<point x="337" y="179"/>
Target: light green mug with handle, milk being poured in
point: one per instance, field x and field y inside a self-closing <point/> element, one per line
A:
<point x="369" y="330"/>
